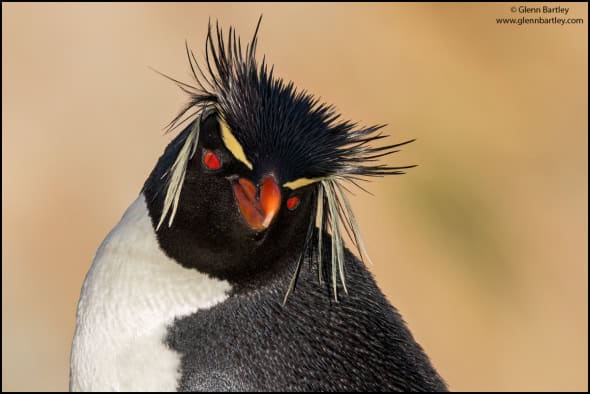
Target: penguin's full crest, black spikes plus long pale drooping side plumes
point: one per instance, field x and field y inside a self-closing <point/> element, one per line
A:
<point x="272" y="124"/>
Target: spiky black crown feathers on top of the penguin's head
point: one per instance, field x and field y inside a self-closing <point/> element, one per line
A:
<point x="278" y="125"/>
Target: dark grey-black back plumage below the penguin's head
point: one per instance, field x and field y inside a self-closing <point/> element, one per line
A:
<point x="313" y="343"/>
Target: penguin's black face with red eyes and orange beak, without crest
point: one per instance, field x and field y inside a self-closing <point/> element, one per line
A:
<point x="233" y="221"/>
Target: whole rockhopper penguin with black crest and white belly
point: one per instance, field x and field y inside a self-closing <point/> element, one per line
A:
<point x="229" y="271"/>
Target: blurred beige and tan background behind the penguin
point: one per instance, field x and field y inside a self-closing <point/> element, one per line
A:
<point x="483" y="247"/>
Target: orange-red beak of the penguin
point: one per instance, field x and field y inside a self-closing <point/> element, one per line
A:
<point x="258" y="211"/>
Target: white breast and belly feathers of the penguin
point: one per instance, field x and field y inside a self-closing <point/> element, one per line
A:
<point x="132" y="292"/>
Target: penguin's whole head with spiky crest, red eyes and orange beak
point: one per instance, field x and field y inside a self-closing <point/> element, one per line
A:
<point x="239" y="192"/>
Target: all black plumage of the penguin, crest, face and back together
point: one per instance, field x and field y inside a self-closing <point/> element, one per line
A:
<point x="253" y="340"/>
